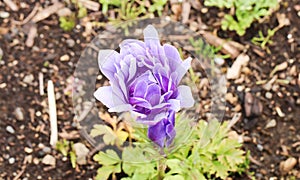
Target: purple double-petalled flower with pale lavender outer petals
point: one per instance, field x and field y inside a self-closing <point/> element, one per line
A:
<point x="144" y="79"/>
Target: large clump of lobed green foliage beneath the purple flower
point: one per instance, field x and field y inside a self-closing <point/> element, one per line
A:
<point x="201" y="151"/>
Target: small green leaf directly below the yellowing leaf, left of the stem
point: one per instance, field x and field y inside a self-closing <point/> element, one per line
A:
<point x="108" y="158"/>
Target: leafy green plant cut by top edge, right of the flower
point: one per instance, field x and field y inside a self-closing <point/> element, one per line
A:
<point x="244" y="12"/>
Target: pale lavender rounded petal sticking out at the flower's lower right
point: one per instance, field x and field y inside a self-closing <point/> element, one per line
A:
<point x="185" y="96"/>
